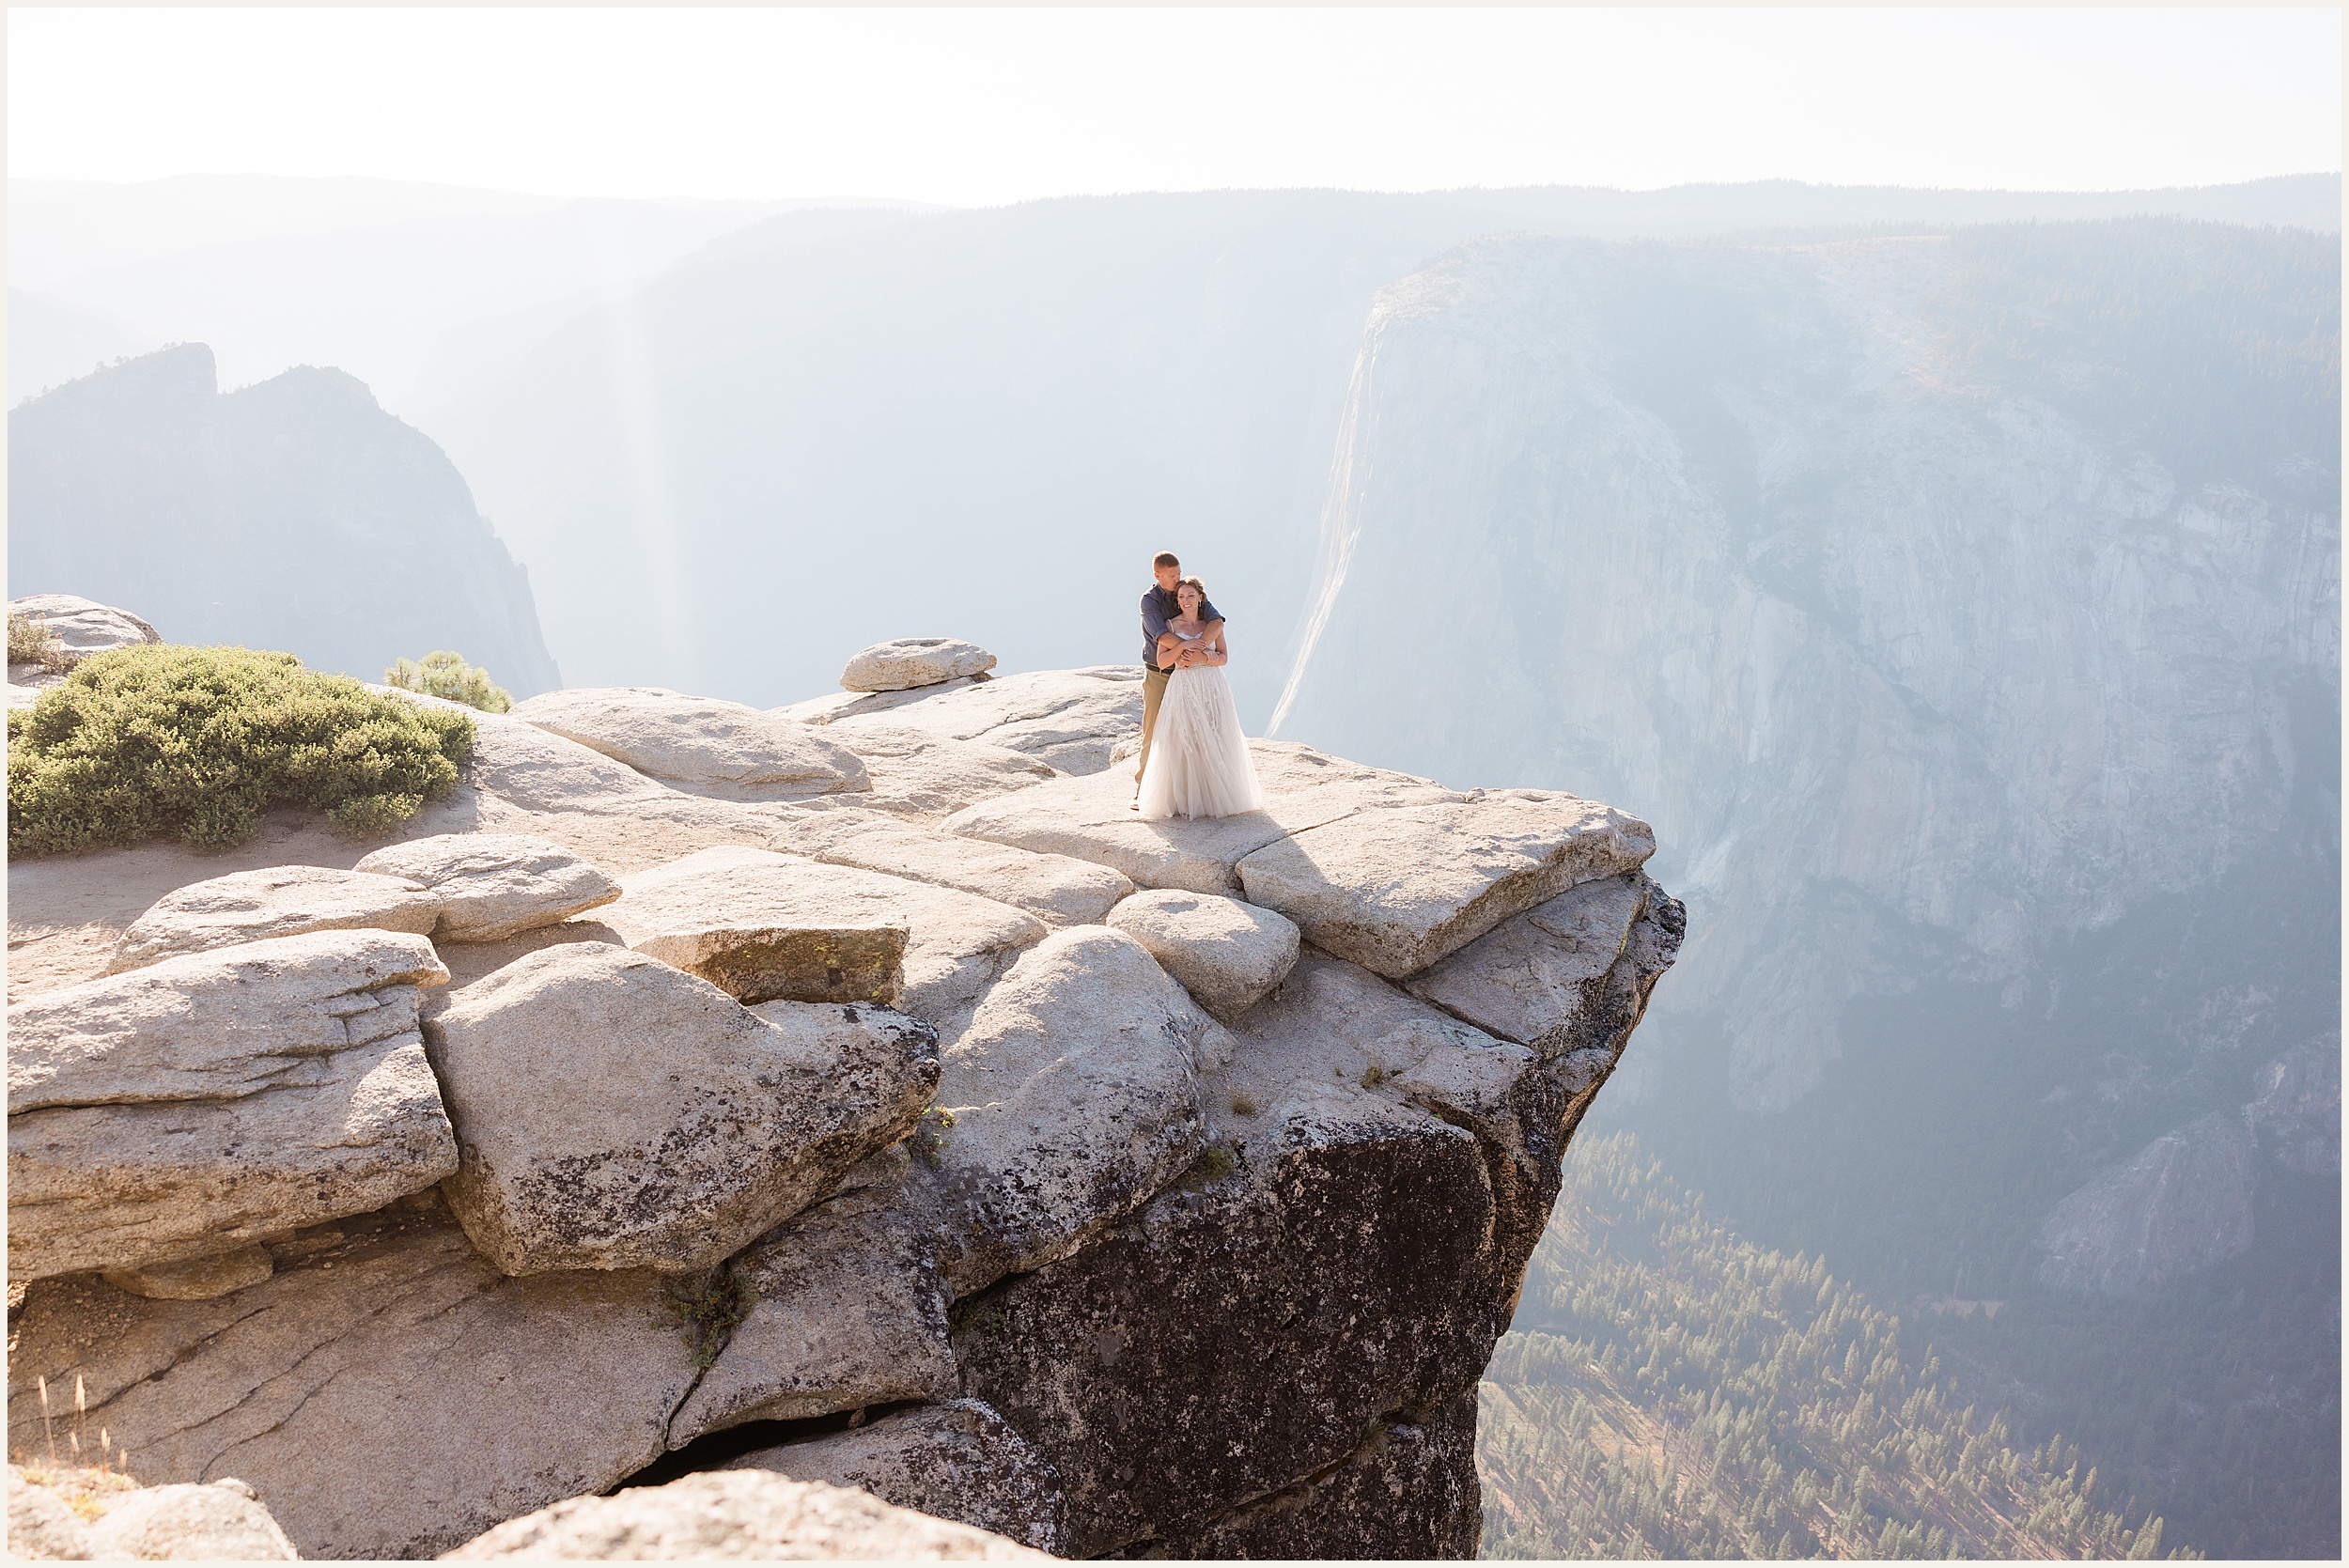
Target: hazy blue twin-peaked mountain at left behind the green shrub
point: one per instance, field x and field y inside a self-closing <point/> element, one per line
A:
<point x="288" y="515"/>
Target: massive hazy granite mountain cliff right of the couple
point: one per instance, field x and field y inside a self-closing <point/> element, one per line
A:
<point x="1967" y="609"/>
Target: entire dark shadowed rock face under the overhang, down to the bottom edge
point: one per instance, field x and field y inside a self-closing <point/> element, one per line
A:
<point x="1194" y="1374"/>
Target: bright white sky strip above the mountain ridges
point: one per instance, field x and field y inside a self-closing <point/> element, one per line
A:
<point x="974" y="107"/>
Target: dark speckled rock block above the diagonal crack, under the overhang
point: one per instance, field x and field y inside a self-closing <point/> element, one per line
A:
<point x="1244" y="1337"/>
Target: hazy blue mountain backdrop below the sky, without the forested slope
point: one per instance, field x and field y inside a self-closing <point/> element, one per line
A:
<point x="1951" y="579"/>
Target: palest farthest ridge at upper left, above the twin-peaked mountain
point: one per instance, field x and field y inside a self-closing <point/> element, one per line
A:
<point x="403" y="285"/>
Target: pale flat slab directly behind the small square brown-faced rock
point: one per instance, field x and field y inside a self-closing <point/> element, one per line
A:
<point x="955" y="949"/>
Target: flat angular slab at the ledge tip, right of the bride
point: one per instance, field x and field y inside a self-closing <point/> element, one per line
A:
<point x="1401" y="888"/>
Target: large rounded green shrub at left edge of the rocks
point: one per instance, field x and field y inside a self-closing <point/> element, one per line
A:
<point x="198" y="743"/>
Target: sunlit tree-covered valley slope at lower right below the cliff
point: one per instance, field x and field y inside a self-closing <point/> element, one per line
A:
<point x="1671" y="1391"/>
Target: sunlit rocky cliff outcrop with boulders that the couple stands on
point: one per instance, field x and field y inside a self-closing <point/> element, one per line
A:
<point x="859" y="1137"/>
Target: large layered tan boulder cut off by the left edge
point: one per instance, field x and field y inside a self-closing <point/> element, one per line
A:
<point x="206" y="1102"/>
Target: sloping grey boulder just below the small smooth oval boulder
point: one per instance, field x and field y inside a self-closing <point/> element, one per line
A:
<point x="1070" y="1100"/>
